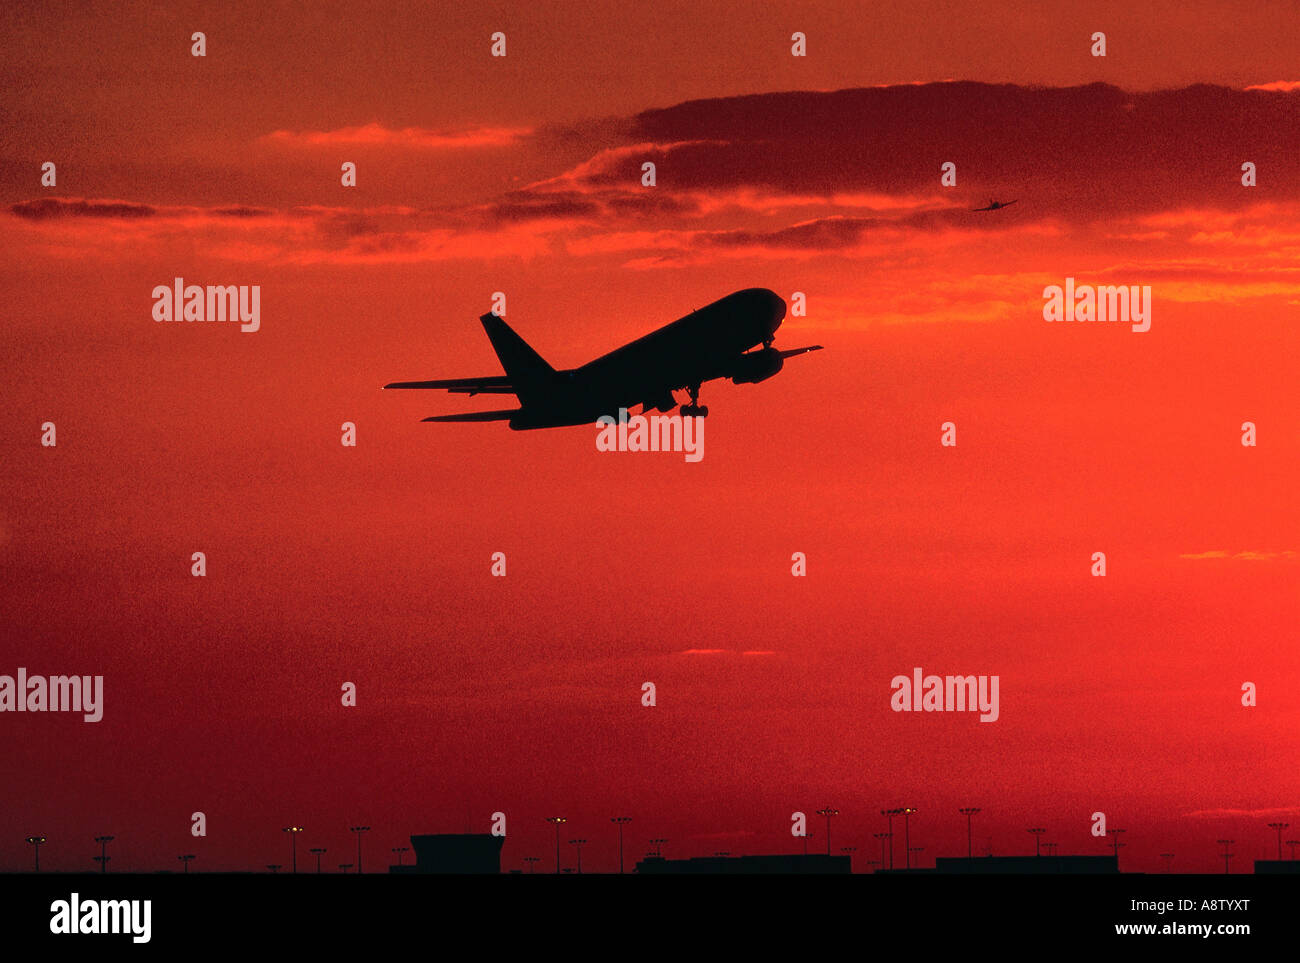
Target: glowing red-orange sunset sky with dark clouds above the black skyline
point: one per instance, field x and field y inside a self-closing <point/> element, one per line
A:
<point x="522" y="175"/>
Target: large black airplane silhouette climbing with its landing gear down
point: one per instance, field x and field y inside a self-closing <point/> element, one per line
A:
<point x="713" y="342"/>
